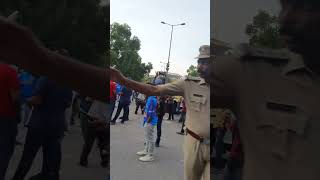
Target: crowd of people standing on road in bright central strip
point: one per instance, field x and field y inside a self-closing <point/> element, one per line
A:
<point x="152" y="109"/>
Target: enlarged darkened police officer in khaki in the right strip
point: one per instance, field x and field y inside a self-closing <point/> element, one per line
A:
<point x="275" y="95"/>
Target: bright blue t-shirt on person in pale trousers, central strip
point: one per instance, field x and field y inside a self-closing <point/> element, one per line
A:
<point x="151" y="110"/>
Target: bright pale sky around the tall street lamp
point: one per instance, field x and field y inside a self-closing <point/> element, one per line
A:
<point x="144" y="17"/>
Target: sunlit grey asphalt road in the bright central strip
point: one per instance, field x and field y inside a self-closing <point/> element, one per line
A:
<point x="128" y="138"/>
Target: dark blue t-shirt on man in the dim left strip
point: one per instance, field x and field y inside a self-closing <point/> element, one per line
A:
<point x="49" y="116"/>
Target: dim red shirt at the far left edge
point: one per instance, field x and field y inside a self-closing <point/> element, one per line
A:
<point x="8" y="82"/>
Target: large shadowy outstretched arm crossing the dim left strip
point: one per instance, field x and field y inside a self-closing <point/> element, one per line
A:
<point x="19" y="46"/>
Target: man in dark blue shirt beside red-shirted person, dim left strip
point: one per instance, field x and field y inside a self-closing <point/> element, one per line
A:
<point x="46" y="129"/>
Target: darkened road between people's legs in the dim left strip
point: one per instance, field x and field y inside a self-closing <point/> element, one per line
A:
<point x="71" y="149"/>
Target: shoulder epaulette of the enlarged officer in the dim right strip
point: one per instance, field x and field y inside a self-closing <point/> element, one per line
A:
<point x="252" y="53"/>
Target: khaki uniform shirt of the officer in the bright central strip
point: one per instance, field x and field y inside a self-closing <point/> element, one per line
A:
<point x="196" y="93"/>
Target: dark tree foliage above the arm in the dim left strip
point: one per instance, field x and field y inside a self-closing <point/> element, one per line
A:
<point x="80" y="26"/>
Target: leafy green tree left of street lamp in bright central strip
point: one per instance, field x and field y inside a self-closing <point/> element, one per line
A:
<point x="124" y="49"/>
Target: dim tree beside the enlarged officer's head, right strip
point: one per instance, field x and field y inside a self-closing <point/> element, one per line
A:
<point x="264" y="31"/>
